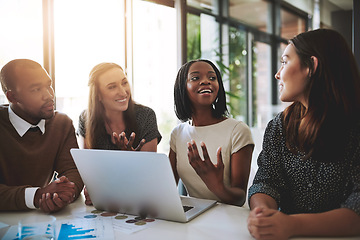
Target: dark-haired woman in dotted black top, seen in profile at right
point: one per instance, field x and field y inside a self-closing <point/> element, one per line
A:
<point x="308" y="181"/>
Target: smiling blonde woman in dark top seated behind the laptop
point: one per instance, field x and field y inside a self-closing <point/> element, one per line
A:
<point x="113" y="121"/>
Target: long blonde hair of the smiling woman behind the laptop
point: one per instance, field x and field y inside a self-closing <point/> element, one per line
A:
<point x="95" y="122"/>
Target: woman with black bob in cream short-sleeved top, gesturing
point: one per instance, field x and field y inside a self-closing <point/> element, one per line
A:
<point x="221" y="170"/>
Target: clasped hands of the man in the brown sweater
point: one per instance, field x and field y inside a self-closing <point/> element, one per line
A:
<point x="55" y="196"/>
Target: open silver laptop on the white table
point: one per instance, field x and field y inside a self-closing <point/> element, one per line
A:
<point x="136" y="183"/>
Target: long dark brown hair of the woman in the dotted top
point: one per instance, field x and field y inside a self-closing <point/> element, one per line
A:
<point x="333" y="97"/>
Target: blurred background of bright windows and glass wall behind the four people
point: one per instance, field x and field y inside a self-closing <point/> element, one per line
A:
<point x="152" y="39"/>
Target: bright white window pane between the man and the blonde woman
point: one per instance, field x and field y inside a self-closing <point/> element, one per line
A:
<point x="86" y="34"/>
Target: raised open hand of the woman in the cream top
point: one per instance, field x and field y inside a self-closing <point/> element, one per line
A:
<point x="211" y="174"/>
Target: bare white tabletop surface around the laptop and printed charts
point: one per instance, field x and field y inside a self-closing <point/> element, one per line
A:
<point x="220" y="222"/>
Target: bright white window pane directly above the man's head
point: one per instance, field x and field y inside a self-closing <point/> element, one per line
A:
<point x="21" y="32"/>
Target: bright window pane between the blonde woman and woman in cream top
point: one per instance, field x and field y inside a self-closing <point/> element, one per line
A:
<point x="155" y="63"/>
